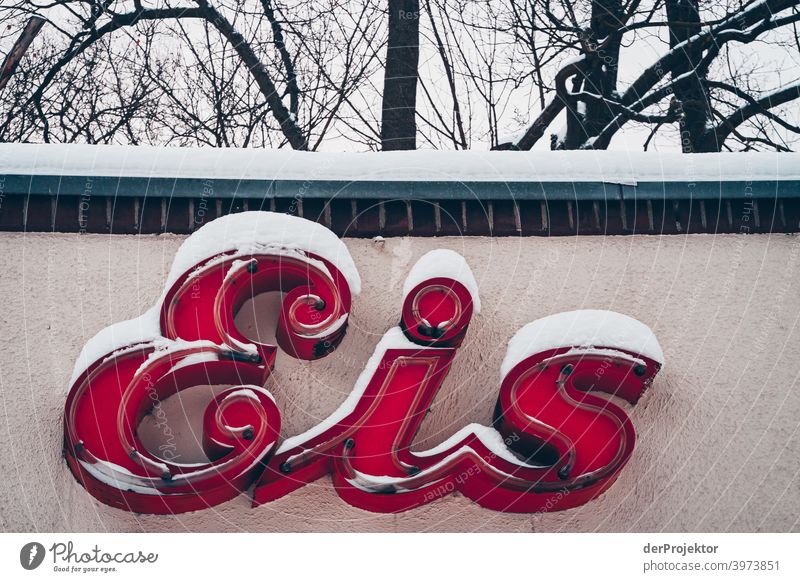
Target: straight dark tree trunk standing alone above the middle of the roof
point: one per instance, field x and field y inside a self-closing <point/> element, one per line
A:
<point x="399" y="125"/>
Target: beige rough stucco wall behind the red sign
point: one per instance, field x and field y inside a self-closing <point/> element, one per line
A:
<point x="718" y="448"/>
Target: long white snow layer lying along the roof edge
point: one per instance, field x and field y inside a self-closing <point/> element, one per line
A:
<point x="622" y="167"/>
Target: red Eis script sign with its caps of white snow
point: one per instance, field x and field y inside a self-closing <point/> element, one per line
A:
<point x="554" y="443"/>
